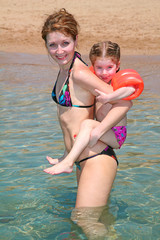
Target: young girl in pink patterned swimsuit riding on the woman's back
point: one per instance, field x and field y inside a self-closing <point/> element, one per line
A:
<point x="105" y="59"/>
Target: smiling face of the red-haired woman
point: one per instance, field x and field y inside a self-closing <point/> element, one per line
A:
<point x="61" y="47"/>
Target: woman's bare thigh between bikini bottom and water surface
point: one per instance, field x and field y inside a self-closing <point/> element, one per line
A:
<point x="96" y="179"/>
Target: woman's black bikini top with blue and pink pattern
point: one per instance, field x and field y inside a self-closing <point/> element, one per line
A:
<point x="64" y="96"/>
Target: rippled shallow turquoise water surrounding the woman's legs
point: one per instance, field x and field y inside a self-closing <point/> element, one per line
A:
<point x="35" y="205"/>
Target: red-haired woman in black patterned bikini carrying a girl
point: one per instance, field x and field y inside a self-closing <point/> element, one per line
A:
<point x="74" y="93"/>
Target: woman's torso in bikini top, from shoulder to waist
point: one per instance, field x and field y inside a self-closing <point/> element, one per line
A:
<point x="74" y="103"/>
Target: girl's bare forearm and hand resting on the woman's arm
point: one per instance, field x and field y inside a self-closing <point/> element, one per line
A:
<point x="114" y="96"/>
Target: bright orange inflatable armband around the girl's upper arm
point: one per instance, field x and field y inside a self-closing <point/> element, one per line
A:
<point x="127" y="78"/>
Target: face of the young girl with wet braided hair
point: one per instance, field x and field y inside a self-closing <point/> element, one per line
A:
<point x="105" y="68"/>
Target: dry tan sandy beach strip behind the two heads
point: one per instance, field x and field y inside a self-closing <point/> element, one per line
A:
<point x="132" y="24"/>
